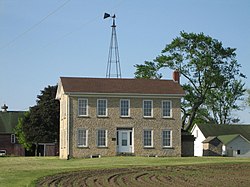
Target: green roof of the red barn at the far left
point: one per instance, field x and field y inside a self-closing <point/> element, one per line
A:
<point x="9" y="120"/>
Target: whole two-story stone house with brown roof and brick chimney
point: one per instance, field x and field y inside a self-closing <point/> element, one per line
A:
<point x="108" y="117"/>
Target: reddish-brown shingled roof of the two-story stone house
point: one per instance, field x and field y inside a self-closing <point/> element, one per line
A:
<point x="109" y="85"/>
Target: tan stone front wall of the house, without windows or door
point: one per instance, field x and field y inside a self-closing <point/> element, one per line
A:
<point x="136" y="121"/>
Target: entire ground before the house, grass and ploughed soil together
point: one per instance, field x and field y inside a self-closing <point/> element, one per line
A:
<point x="124" y="171"/>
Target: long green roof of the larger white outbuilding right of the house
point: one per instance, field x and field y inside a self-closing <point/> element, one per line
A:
<point x="219" y="130"/>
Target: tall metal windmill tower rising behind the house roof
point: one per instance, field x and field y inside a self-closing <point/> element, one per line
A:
<point x="113" y="65"/>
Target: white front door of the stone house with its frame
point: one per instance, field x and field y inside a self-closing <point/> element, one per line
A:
<point x="125" y="141"/>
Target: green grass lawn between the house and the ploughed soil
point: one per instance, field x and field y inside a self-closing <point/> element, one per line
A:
<point x="24" y="171"/>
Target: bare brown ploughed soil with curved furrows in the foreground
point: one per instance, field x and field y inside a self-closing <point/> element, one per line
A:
<point x="195" y="175"/>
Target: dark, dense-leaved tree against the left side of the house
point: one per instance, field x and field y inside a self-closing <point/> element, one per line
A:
<point x="41" y="122"/>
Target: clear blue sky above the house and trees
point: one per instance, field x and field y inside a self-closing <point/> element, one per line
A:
<point x="43" y="40"/>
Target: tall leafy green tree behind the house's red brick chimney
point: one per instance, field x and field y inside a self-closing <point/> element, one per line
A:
<point x="211" y="71"/>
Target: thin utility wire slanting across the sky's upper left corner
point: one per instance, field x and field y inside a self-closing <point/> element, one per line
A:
<point x="34" y="26"/>
